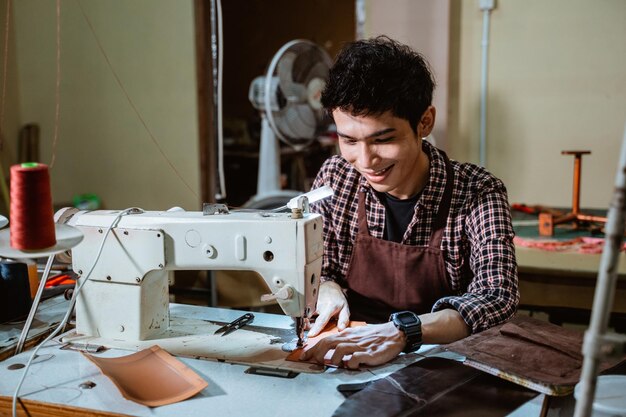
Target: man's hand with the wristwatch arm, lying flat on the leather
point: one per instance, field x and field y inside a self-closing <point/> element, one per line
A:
<point x="373" y="344"/>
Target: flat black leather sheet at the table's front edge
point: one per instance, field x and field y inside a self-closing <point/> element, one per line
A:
<point x="436" y="387"/>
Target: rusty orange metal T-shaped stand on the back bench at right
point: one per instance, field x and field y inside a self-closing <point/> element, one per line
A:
<point x="579" y="220"/>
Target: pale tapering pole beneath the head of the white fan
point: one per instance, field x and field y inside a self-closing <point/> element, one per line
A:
<point x="269" y="161"/>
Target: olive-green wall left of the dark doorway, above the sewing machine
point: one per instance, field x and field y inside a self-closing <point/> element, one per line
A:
<point x="112" y="140"/>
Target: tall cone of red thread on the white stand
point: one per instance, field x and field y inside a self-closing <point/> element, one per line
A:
<point x="31" y="213"/>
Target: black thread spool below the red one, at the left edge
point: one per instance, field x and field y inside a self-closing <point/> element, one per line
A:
<point x="14" y="290"/>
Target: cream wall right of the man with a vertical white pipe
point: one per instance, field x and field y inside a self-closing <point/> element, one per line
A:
<point x="556" y="82"/>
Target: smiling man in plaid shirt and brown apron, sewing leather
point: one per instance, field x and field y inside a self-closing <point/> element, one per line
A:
<point x="417" y="243"/>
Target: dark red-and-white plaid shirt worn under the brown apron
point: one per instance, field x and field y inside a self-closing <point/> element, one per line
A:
<point x="477" y="243"/>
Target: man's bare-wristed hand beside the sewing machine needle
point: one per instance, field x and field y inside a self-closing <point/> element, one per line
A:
<point x="331" y="302"/>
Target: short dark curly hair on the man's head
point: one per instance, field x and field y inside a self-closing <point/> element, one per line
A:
<point x="373" y="76"/>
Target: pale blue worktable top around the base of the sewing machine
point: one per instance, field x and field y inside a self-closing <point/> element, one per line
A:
<point x="55" y="377"/>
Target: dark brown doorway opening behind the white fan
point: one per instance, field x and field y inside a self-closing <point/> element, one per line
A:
<point x="254" y="31"/>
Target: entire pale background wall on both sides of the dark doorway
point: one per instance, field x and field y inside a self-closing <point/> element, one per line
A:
<point x="556" y="82"/>
